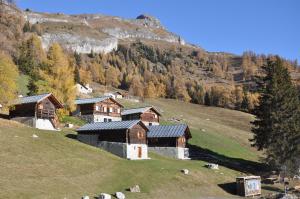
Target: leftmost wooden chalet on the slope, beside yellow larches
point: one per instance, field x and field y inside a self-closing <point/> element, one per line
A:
<point x="38" y="111"/>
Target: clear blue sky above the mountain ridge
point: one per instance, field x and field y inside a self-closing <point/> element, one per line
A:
<point x="263" y="26"/>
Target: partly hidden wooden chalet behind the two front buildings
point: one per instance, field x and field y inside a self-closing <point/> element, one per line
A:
<point x="148" y="115"/>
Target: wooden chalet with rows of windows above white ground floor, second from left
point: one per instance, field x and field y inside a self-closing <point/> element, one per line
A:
<point x="102" y="109"/>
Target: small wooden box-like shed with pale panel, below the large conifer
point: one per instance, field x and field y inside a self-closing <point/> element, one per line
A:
<point x="248" y="186"/>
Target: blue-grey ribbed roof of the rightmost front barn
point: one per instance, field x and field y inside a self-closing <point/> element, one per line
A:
<point x="167" y="130"/>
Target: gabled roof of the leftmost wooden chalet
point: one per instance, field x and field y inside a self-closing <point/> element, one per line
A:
<point x="37" y="99"/>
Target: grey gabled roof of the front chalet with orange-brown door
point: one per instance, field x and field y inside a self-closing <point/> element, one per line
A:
<point x="118" y="125"/>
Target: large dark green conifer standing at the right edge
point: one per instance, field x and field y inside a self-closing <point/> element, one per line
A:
<point x="277" y="125"/>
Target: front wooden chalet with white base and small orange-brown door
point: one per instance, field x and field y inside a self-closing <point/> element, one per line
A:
<point x="127" y="139"/>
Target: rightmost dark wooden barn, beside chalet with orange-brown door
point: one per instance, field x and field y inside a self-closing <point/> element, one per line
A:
<point x="169" y="140"/>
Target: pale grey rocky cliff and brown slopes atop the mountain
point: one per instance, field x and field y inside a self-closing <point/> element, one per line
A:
<point x="97" y="33"/>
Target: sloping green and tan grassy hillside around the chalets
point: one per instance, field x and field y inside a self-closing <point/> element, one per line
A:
<point x="56" y="166"/>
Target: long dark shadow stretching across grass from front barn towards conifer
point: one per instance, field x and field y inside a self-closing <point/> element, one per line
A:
<point x="238" y="164"/>
